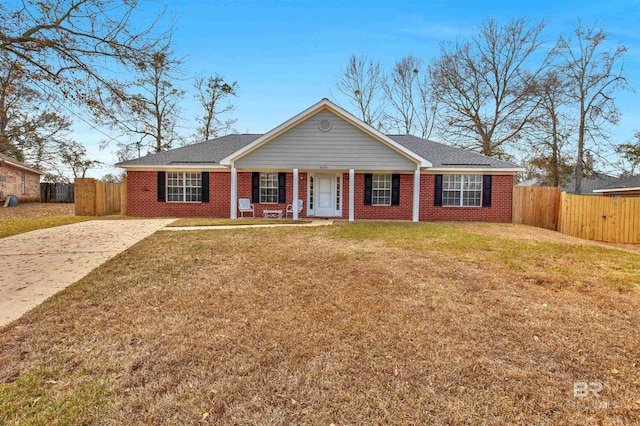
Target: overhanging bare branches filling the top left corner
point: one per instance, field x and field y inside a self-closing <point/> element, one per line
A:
<point x="75" y="44"/>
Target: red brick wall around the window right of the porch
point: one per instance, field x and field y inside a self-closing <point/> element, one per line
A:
<point x="500" y="210"/>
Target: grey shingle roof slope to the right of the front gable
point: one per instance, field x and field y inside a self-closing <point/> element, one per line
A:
<point x="446" y="156"/>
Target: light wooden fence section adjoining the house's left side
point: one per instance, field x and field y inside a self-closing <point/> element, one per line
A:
<point x="93" y="197"/>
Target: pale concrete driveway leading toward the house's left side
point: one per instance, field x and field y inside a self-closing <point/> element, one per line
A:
<point x="36" y="265"/>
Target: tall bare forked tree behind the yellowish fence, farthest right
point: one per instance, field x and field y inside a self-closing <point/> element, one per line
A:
<point x="594" y="73"/>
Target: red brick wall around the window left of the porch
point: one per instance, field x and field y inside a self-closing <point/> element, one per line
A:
<point x="142" y="197"/>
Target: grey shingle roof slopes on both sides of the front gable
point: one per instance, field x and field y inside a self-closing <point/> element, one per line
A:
<point x="214" y="150"/>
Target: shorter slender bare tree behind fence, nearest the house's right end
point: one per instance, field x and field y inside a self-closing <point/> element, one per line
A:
<point x="551" y="132"/>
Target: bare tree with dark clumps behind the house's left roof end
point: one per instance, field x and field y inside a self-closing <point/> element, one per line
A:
<point x="148" y="115"/>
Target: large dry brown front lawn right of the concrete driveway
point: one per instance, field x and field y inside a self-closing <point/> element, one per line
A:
<point x="352" y="324"/>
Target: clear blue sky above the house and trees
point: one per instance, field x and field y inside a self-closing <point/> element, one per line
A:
<point x="286" y="55"/>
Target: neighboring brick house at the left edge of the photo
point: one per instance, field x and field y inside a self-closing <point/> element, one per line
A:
<point x="16" y="178"/>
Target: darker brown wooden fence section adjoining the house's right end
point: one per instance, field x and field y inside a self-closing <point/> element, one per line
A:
<point x="536" y="206"/>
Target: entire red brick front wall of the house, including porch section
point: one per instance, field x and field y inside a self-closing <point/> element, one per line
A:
<point x="142" y="199"/>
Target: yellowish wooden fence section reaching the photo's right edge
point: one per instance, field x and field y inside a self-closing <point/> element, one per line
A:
<point x="614" y="220"/>
